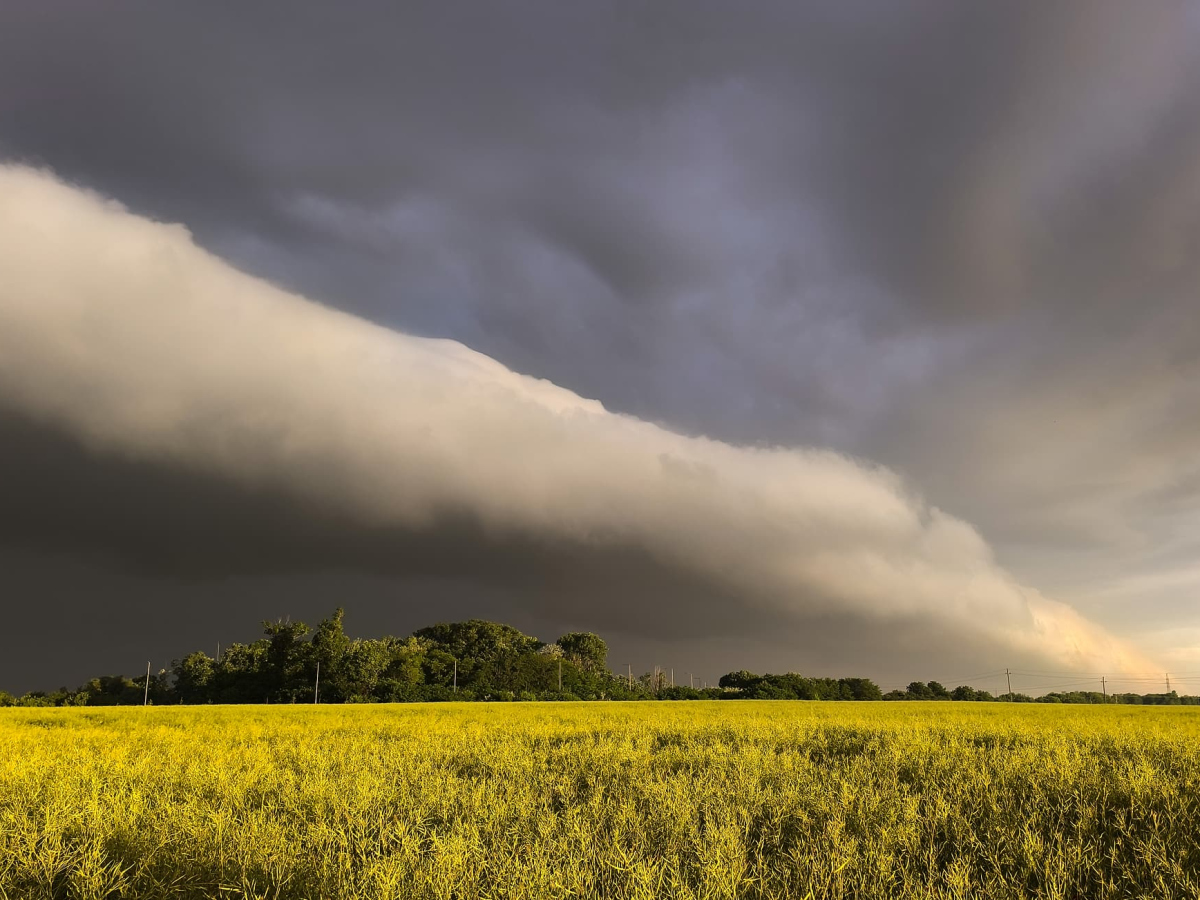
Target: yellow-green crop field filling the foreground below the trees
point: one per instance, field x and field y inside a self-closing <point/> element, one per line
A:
<point x="748" y="800"/>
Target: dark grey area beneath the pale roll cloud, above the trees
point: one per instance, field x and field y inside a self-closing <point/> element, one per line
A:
<point x="110" y="560"/>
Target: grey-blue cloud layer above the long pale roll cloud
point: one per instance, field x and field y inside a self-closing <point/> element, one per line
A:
<point x="958" y="239"/>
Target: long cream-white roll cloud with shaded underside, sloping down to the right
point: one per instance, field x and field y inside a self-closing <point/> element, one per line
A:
<point x="401" y="455"/>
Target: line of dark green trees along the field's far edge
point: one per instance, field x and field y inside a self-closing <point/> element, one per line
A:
<point x="470" y="661"/>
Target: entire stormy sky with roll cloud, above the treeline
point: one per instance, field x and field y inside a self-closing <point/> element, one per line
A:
<point x="844" y="339"/>
